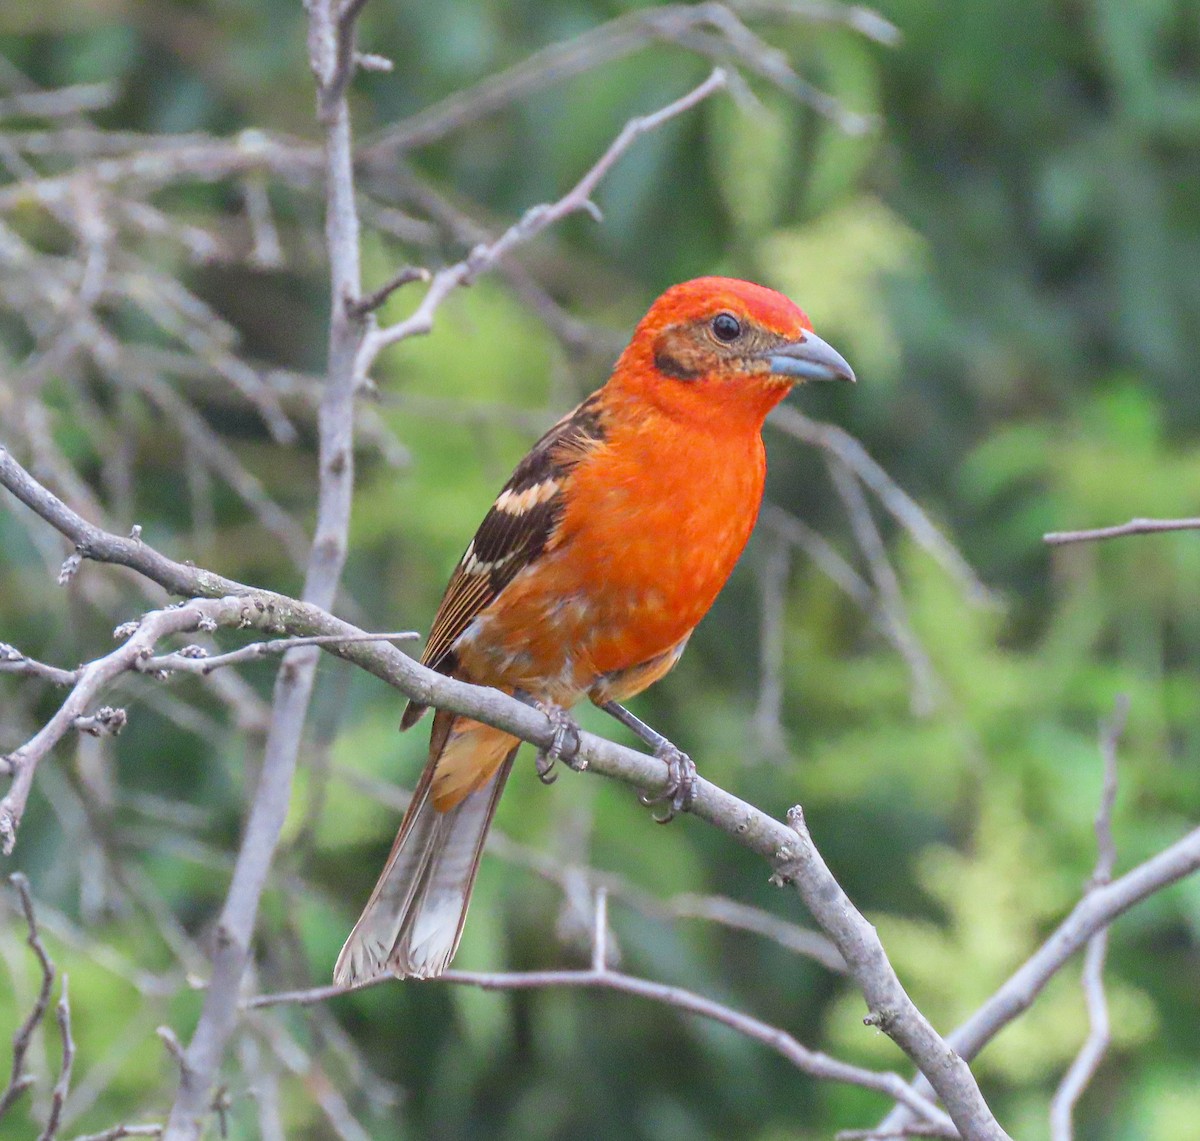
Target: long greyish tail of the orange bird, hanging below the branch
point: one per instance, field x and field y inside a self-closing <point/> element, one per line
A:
<point x="415" y="918"/>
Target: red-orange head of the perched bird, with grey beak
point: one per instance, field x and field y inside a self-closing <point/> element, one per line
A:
<point x="718" y="346"/>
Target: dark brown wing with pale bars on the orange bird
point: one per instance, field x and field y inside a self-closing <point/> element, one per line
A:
<point x="513" y="535"/>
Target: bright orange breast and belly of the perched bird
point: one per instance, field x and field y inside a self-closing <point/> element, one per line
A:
<point x="656" y="523"/>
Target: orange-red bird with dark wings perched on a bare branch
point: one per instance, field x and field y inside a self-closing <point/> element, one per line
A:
<point x="586" y="579"/>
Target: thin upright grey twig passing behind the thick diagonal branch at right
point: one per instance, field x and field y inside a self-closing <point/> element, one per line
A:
<point x="1090" y="1056"/>
